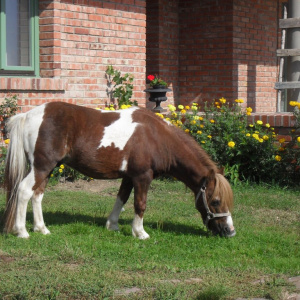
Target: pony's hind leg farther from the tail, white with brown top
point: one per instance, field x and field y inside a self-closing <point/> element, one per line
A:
<point x="38" y="220"/>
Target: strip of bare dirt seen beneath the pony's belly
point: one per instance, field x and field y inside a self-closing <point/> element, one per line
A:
<point x="94" y="186"/>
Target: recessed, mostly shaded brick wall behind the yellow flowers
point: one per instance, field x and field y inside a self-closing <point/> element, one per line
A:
<point x="225" y="49"/>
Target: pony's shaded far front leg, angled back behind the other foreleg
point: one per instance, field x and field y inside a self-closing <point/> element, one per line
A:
<point x="122" y="197"/>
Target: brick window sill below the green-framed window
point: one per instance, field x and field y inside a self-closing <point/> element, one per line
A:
<point x="32" y="84"/>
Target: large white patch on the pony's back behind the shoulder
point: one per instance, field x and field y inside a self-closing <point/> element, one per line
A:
<point x="120" y="131"/>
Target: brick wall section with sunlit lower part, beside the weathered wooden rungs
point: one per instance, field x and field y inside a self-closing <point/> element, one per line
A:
<point x="255" y="40"/>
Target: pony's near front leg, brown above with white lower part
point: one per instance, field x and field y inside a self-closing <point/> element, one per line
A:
<point x="140" y="198"/>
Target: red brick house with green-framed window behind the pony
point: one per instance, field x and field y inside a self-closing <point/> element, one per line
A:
<point x="206" y="49"/>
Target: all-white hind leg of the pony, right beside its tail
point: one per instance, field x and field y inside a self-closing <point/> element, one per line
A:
<point x="24" y="194"/>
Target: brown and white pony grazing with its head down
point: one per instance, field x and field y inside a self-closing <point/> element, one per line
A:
<point x="133" y="144"/>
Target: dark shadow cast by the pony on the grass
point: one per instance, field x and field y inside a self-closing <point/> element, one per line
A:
<point x="63" y="218"/>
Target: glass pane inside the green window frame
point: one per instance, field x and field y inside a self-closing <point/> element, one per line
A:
<point x="18" y="32"/>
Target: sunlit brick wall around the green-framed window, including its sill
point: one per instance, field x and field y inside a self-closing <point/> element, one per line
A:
<point x="78" y="40"/>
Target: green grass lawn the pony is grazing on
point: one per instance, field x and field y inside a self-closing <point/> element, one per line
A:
<point x="82" y="260"/>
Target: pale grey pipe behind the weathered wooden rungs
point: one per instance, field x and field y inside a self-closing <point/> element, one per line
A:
<point x="293" y="42"/>
